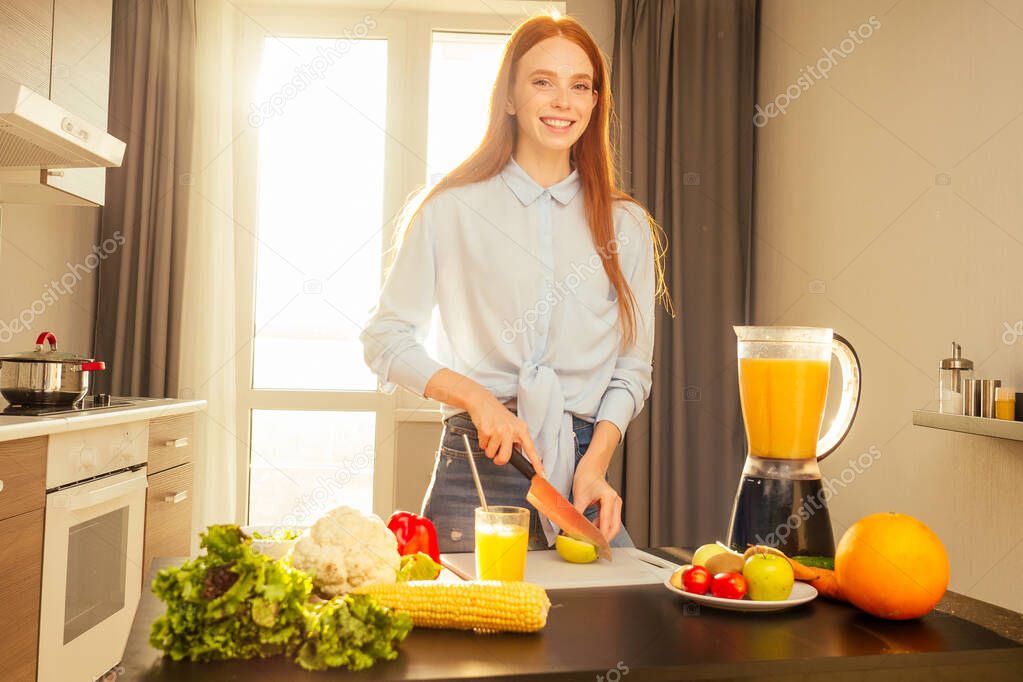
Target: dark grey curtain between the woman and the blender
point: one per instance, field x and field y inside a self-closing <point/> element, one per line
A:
<point x="683" y="79"/>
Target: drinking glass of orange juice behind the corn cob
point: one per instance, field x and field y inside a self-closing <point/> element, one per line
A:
<point x="502" y="541"/>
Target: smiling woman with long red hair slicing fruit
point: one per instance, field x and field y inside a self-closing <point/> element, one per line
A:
<point x="546" y="277"/>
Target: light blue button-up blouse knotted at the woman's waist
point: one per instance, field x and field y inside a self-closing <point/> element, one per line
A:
<point x="525" y="308"/>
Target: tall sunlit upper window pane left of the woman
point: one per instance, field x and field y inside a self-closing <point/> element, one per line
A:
<point x="321" y="211"/>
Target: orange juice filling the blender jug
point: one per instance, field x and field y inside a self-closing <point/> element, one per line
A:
<point x="783" y="402"/>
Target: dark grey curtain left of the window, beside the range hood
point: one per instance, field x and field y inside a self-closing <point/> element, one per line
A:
<point x="140" y="297"/>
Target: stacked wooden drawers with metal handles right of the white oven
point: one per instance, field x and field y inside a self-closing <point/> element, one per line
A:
<point x="169" y="499"/>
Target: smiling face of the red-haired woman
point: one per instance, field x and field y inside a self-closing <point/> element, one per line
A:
<point x="553" y="96"/>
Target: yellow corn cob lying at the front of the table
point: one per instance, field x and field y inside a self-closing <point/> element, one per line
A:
<point x="479" y="606"/>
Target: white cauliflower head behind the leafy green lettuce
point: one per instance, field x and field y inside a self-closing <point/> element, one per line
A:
<point x="347" y="549"/>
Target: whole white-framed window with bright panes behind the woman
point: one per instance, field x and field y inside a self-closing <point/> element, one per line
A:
<point x="352" y="113"/>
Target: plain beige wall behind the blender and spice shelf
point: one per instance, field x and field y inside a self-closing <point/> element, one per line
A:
<point x="889" y="206"/>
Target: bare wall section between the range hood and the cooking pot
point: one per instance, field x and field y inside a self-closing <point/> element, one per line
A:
<point x="38" y="247"/>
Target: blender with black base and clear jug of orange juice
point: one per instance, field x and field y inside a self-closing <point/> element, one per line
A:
<point x="784" y="375"/>
